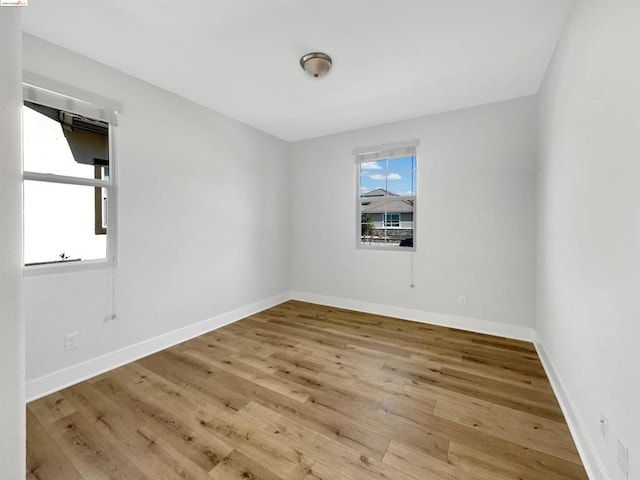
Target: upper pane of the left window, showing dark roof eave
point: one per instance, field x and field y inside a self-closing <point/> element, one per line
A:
<point x="61" y="143"/>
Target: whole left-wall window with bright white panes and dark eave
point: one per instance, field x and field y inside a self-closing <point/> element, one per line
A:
<point x="69" y="201"/>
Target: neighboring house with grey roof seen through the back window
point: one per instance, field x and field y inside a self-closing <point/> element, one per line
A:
<point x="390" y="217"/>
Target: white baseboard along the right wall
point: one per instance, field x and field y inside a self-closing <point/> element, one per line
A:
<point x="588" y="455"/>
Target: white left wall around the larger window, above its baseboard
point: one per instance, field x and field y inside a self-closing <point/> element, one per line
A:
<point x="203" y="225"/>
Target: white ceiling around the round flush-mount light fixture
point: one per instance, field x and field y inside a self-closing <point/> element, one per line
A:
<point x="392" y="59"/>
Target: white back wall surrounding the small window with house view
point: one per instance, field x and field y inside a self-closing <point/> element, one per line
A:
<point x="475" y="221"/>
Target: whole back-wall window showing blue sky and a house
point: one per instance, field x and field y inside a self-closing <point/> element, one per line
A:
<point x="386" y="203"/>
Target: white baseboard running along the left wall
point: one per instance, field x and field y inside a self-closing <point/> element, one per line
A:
<point x="41" y="386"/>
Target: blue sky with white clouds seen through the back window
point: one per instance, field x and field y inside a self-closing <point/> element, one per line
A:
<point x="396" y="175"/>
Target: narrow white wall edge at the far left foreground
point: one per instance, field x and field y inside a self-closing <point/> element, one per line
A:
<point x="12" y="412"/>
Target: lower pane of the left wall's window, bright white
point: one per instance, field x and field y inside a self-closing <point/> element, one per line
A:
<point x="59" y="223"/>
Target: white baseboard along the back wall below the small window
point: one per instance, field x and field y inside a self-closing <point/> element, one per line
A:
<point x="445" y="320"/>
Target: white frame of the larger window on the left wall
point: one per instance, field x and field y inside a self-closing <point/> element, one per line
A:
<point x="69" y="99"/>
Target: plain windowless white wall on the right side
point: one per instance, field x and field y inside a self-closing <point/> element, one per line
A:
<point x="589" y="225"/>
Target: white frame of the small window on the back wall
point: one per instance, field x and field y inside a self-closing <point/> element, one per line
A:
<point x="383" y="153"/>
